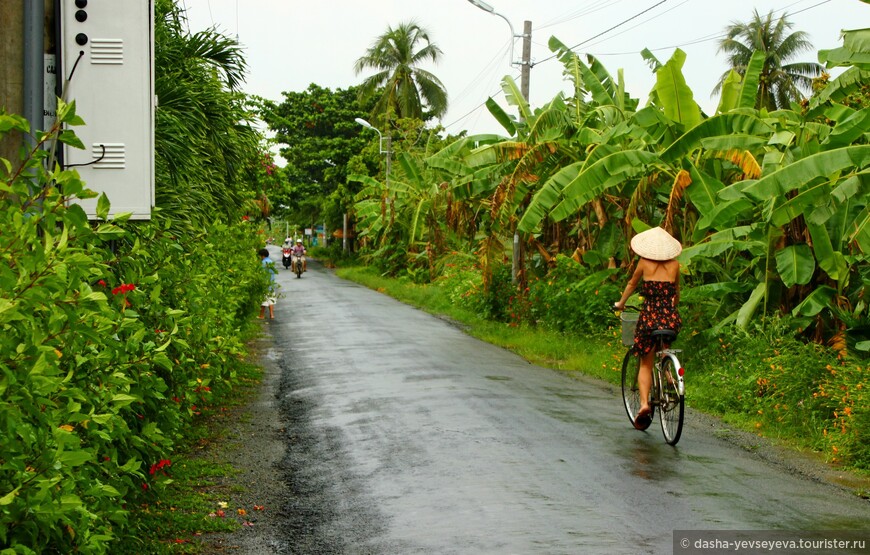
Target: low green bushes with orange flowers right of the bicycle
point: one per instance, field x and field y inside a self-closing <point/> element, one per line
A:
<point x="769" y="381"/>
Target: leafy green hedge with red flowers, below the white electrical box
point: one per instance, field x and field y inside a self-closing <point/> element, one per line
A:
<point x="112" y="335"/>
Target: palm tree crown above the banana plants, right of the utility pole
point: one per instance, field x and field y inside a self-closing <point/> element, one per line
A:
<point x="780" y="83"/>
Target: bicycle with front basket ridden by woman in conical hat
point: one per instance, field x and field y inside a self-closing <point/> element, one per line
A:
<point x="667" y="394"/>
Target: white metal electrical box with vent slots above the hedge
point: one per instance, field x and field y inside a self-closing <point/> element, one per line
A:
<point x="107" y="51"/>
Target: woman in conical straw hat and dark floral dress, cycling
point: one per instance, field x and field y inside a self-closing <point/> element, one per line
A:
<point x="661" y="293"/>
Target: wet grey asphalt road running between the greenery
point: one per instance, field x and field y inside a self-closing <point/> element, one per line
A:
<point x="404" y="435"/>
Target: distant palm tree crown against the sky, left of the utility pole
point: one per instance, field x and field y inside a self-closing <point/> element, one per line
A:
<point x="402" y="85"/>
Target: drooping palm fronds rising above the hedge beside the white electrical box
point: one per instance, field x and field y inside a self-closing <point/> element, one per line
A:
<point x="205" y="139"/>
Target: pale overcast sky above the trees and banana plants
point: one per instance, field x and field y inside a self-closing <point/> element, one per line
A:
<point x="290" y="44"/>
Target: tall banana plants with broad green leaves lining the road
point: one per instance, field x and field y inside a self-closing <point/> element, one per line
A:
<point x="772" y="207"/>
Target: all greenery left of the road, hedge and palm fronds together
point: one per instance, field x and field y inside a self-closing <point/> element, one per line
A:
<point x="115" y="334"/>
